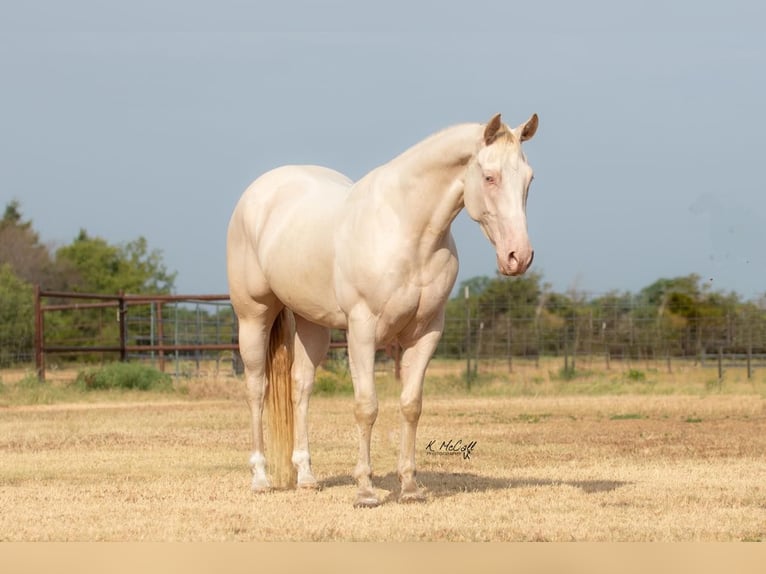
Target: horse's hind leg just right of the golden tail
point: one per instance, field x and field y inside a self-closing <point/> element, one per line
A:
<point x="311" y="344"/>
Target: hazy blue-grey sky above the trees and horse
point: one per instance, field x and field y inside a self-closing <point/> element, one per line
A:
<point x="149" y="118"/>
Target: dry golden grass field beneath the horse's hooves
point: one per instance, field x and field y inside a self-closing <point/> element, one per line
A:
<point x="546" y="466"/>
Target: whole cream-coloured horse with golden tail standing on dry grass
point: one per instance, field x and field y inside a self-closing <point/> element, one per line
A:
<point x="308" y="250"/>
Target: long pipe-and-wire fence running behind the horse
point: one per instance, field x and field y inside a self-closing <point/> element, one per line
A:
<point x="197" y="334"/>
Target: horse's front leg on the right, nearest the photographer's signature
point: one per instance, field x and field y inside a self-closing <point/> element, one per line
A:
<point x="415" y="358"/>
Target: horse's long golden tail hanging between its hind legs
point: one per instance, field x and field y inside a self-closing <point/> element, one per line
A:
<point x="279" y="401"/>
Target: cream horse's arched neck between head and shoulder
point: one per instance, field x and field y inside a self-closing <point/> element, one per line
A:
<point x="429" y="178"/>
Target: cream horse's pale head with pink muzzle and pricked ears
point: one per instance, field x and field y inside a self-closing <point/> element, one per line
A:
<point x="496" y="186"/>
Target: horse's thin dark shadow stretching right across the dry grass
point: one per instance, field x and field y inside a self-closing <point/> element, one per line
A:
<point x="446" y="484"/>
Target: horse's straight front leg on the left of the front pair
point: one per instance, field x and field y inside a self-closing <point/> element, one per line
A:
<point x="361" y="355"/>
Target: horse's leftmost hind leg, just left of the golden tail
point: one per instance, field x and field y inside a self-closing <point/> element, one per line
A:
<point x="254" y="333"/>
